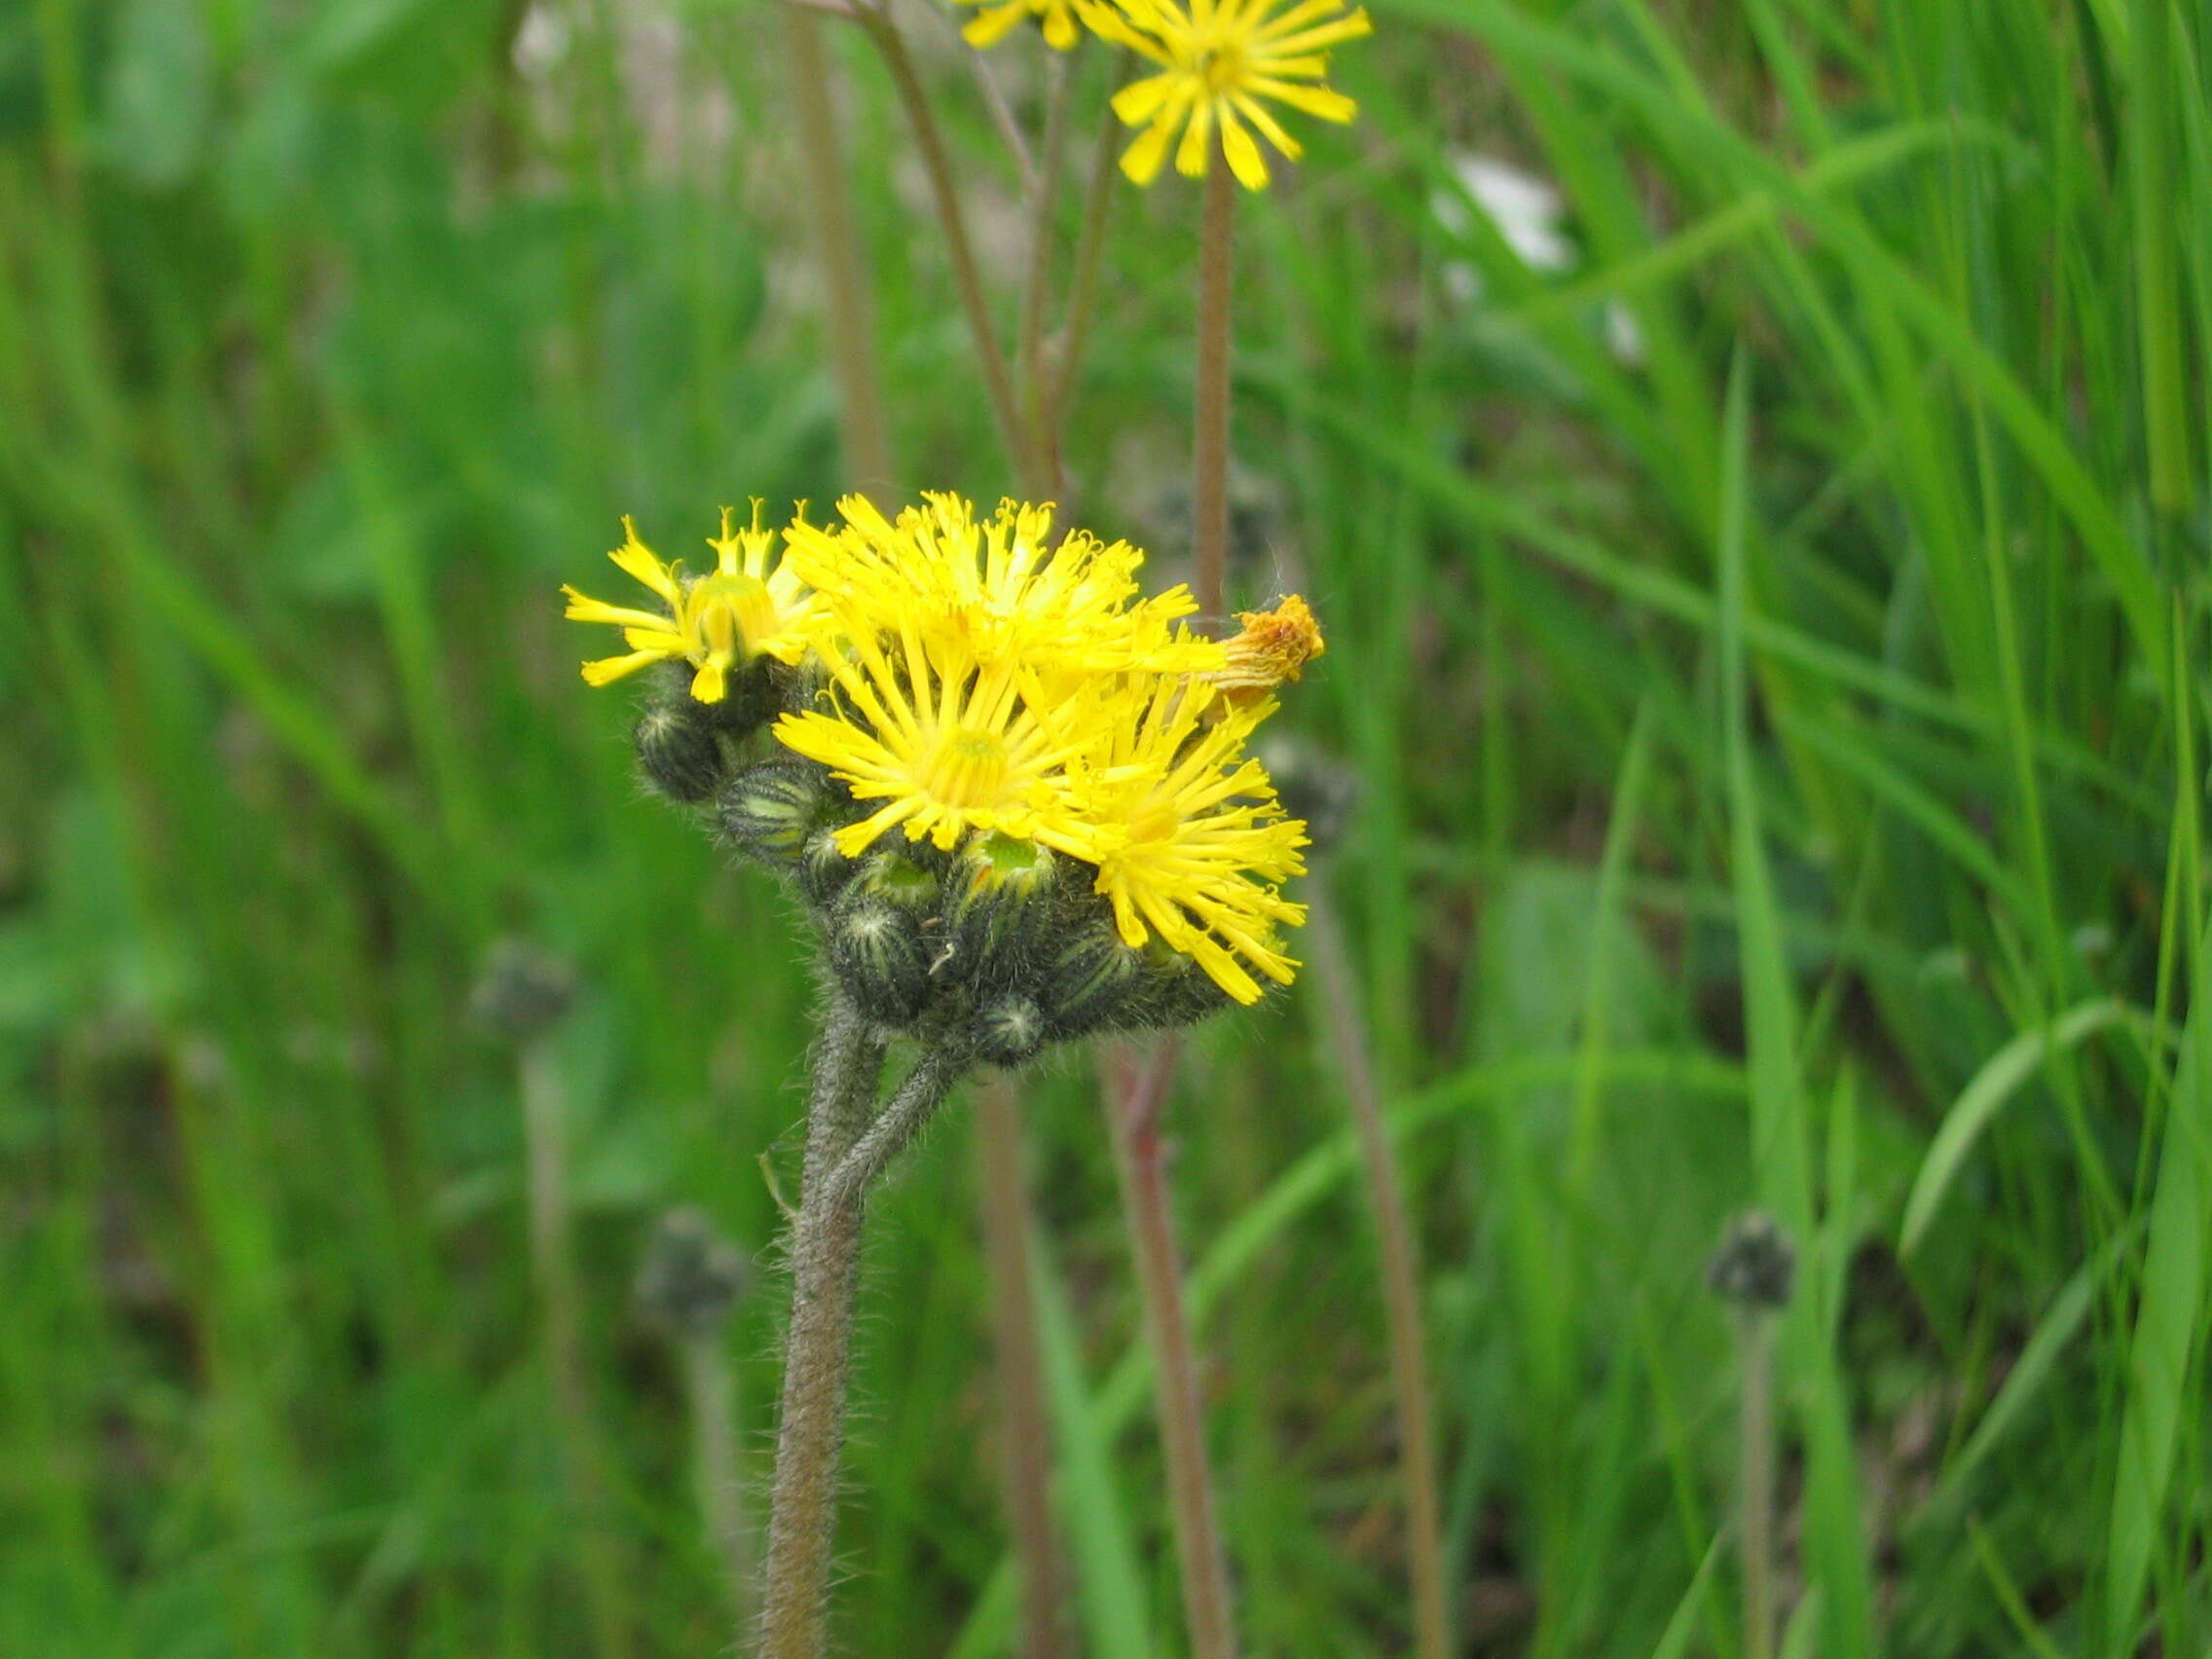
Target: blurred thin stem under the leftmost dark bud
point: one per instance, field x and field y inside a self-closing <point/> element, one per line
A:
<point x="554" y="1269"/>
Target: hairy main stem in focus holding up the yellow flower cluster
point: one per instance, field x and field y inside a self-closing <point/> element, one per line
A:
<point x="817" y="1353"/>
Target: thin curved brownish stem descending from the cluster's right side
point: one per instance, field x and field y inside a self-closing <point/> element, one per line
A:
<point x="1401" y="1269"/>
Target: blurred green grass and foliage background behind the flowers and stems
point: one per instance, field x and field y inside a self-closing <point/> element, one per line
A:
<point x="1751" y="461"/>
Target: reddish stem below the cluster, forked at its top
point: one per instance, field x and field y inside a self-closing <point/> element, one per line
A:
<point x="1134" y="1103"/>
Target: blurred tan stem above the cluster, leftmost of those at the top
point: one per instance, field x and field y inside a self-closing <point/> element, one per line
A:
<point x="837" y="247"/>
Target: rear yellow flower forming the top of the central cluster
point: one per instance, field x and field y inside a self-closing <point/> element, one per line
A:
<point x="1001" y="592"/>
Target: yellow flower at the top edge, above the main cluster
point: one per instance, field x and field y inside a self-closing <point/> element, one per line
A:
<point x="1218" y="61"/>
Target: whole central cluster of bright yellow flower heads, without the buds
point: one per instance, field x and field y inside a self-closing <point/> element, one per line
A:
<point x="985" y="678"/>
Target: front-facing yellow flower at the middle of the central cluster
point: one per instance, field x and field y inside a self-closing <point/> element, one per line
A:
<point x="948" y="744"/>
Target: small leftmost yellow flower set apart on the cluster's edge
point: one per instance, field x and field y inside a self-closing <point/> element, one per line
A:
<point x="716" y="623"/>
